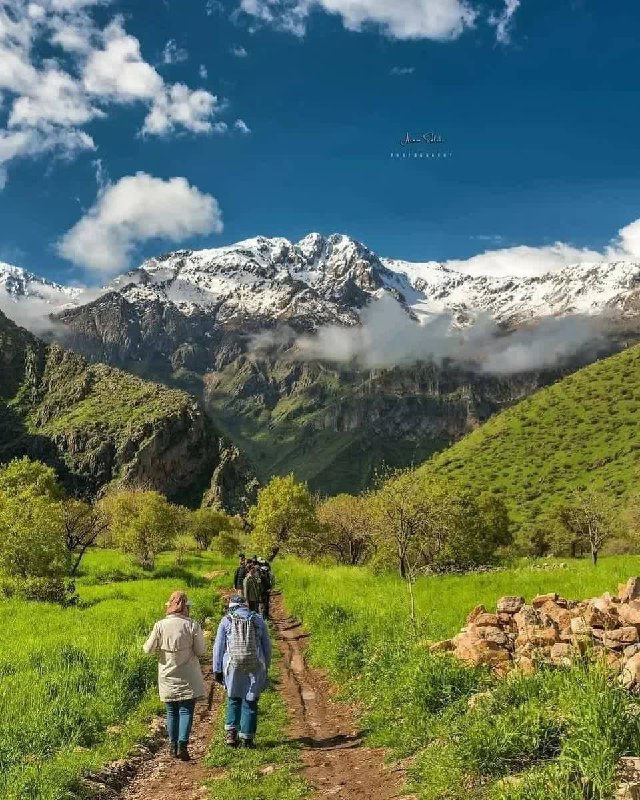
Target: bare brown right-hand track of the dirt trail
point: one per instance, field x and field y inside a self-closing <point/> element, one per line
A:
<point x="336" y="762"/>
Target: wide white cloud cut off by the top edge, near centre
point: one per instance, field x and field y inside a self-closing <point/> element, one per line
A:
<point x="439" y="20"/>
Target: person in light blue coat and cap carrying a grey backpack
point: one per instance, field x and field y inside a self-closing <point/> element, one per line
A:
<point x="241" y="659"/>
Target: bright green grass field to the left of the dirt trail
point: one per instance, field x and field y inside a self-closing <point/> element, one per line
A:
<point x="76" y="691"/>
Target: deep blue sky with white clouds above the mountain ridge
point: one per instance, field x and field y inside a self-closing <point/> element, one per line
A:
<point x="287" y="117"/>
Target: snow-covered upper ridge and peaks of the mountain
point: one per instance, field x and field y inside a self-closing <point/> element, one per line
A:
<point x="321" y="280"/>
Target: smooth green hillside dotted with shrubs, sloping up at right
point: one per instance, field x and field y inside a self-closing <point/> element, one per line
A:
<point x="581" y="432"/>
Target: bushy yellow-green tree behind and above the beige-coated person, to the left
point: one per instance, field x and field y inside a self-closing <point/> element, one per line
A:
<point x="142" y="523"/>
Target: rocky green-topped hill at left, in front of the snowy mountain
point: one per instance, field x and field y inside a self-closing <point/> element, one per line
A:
<point x="99" y="426"/>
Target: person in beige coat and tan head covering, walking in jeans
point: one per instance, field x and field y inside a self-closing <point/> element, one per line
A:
<point x="179" y="642"/>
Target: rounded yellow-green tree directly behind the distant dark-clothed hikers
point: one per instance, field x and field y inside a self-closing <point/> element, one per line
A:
<point x="284" y="517"/>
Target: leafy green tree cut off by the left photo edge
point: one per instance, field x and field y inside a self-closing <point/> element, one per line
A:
<point x="32" y="537"/>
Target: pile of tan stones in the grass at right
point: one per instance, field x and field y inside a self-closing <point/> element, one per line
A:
<point x="552" y="630"/>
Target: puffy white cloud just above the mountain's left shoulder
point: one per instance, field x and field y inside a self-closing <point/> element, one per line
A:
<point x="133" y="210"/>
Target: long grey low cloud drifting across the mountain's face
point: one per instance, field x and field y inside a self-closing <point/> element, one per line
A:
<point x="388" y="337"/>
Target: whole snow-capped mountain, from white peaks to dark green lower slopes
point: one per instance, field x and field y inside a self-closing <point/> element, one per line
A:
<point x="190" y="319"/>
